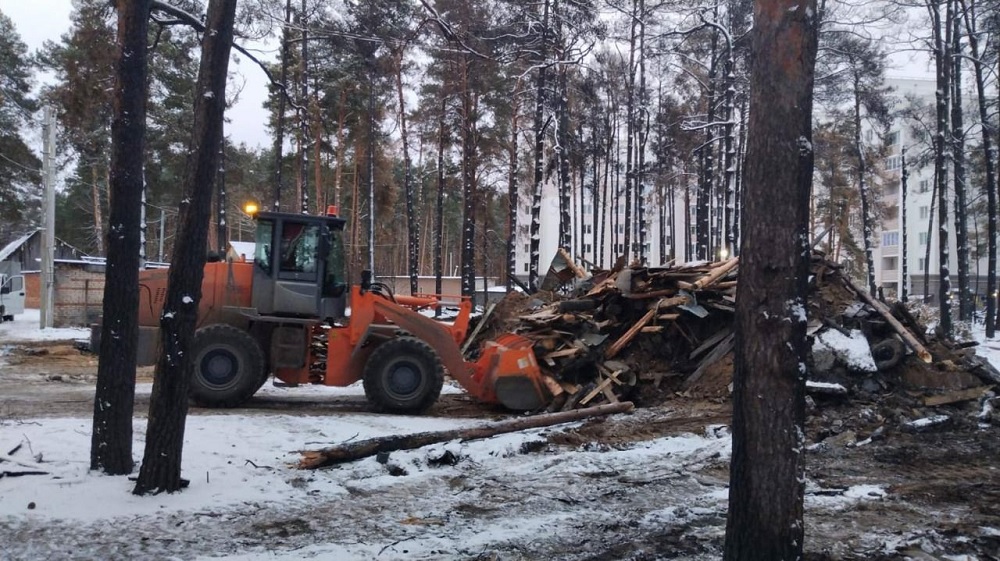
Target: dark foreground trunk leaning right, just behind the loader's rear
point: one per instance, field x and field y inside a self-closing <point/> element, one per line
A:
<point x="161" y="464"/>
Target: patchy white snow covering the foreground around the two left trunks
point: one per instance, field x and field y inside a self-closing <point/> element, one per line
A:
<point x="510" y="496"/>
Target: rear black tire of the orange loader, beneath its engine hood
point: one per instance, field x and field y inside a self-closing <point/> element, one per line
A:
<point x="228" y="366"/>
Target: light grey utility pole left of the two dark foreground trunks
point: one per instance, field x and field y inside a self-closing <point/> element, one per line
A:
<point x="49" y="233"/>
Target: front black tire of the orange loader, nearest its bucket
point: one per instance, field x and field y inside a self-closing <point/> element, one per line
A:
<point x="403" y="375"/>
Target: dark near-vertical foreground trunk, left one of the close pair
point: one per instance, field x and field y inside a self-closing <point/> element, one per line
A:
<point x="111" y="441"/>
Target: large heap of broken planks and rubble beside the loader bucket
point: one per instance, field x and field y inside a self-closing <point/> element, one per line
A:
<point x="648" y="334"/>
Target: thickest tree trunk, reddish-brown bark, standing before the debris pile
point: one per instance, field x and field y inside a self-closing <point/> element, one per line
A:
<point x="767" y="473"/>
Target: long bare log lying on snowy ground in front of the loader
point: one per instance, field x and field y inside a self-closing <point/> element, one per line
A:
<point x="348" y="452"/>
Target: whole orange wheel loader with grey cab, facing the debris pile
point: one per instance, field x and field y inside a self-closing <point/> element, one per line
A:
<point x="285" y="314"/>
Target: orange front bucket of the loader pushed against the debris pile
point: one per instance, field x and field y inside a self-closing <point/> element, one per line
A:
<point x="517" y="378"/>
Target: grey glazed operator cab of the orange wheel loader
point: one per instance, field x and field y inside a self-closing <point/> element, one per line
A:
<point x="299" y="267"/>
